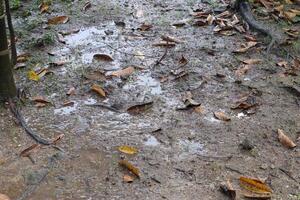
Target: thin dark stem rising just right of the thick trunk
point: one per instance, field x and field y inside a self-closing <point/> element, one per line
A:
<point x="11" y="33"/>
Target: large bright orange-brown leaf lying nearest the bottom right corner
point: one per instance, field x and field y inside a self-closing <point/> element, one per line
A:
<point x="254" y="185"/>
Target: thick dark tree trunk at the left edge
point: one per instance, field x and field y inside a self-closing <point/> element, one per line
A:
<point x="7" y="83"/>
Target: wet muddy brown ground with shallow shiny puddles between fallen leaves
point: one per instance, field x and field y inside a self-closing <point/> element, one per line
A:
<point x="182" y="153"/>
